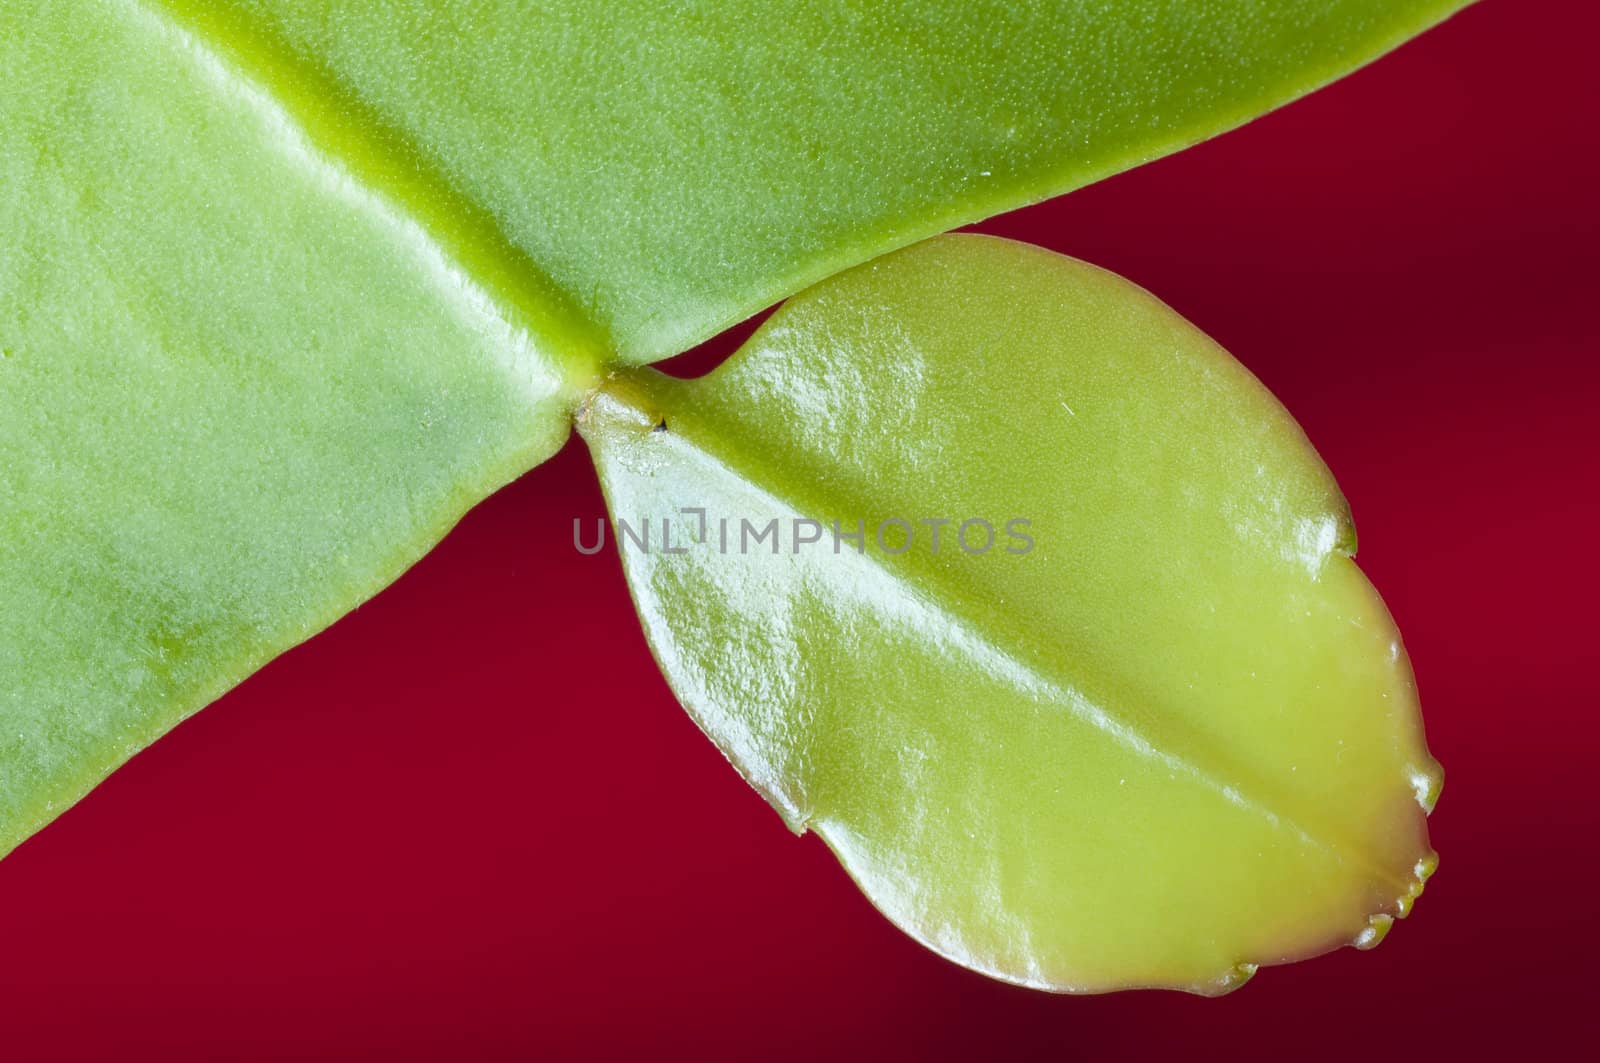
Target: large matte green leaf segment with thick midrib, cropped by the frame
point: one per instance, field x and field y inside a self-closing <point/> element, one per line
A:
<point x="287" y="287"/>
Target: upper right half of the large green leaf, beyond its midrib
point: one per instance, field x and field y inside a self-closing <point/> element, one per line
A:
<point x="676" y="169"/>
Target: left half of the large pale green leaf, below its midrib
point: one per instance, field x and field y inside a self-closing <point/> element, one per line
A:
<point x="239" y="393"/>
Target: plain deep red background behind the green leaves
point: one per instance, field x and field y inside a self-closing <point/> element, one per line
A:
<point x="471" y="820"/>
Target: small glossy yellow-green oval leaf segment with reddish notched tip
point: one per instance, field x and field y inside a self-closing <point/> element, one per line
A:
<point x="1158" y="736"/>
